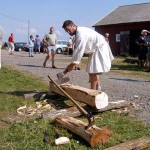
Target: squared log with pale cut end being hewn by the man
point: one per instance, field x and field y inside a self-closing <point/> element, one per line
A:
<point x="94" y="98"/>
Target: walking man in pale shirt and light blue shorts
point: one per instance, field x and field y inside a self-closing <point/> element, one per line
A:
<point x="51" y="40"/>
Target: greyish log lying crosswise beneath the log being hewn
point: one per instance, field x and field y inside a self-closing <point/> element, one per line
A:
<point x="74" y="112"/>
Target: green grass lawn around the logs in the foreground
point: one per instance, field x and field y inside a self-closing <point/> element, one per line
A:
<point x="28" y="134"/>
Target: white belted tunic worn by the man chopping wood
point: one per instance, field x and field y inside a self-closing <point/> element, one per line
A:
<point x="90" y="42"/>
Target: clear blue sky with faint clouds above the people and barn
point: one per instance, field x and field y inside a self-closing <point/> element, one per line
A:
<point x="42" y="14"/>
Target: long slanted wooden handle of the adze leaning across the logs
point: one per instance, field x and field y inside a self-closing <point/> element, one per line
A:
<point x="85" y="113"/>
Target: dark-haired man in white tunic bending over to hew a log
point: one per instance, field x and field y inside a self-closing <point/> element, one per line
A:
<point x="94" y="44"/>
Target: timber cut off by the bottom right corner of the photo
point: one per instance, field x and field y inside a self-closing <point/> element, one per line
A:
<point x="137" y="144"/>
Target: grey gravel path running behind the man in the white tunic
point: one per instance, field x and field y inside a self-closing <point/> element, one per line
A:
<point x="117" y="86"/>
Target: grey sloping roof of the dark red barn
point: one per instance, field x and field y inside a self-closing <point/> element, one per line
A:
<point x="127" y="14"/>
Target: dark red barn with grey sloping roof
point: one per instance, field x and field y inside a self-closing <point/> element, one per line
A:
<point x="124" y="25"/>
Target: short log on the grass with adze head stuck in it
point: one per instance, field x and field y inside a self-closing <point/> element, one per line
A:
<point x="94" y="136"/>
